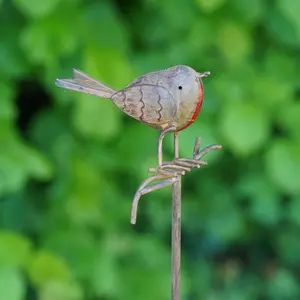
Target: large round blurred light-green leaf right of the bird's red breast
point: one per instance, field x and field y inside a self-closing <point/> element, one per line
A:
<point x="245" y="127"/>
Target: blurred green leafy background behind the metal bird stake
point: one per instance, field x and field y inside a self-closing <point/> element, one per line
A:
<point x="70" y="164"/>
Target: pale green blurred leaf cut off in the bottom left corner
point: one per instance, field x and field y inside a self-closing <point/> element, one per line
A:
<point x="12" y="284"/>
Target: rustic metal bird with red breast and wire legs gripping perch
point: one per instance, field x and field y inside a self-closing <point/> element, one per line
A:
<point x="168" y="100"/>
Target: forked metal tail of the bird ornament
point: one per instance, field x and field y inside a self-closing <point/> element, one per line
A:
<point x="85" y="84"/>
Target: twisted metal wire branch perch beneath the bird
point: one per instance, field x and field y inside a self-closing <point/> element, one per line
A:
<point x="169" y="173"/>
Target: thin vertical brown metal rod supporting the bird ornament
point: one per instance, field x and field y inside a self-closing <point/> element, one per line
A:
<point x="176" y="230"/>
